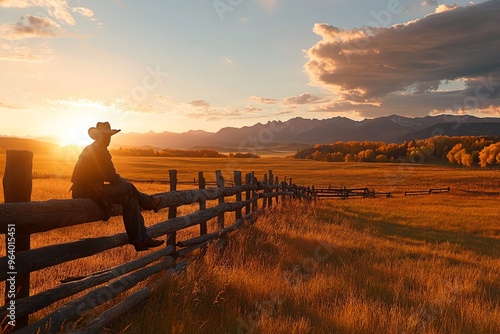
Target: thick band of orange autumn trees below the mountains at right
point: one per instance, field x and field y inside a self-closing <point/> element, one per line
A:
<point x="464" y="150"/>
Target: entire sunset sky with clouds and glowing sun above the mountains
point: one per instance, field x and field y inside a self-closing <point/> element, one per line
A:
<point x="184" y="65"/>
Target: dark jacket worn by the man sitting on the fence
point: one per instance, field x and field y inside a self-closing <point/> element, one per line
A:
<point x="94" y="166"/>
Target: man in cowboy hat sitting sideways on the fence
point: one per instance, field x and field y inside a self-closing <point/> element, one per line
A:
<point x="93" y="168"/>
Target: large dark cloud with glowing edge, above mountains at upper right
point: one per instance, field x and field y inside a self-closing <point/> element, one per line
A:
<point x="372" y="69"/>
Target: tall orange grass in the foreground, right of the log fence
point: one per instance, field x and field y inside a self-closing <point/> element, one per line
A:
<point x="311" y="269"/>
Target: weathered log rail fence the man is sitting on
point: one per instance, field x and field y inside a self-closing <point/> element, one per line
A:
<point x="27" y="218"/>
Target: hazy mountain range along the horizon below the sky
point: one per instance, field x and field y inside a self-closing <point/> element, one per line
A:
<point x="299" y="131"/>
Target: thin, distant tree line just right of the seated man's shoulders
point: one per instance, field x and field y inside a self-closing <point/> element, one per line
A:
<point x="174" y="153"/>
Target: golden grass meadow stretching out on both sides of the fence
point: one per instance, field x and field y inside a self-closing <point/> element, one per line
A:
<point x="420" y="264"/>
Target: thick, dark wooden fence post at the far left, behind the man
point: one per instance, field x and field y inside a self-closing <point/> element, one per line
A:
<point x="17" y="185"/>
